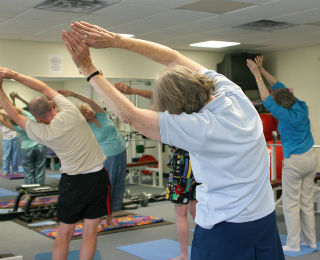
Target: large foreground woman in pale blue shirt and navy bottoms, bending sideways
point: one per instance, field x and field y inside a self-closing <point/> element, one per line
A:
<point x="209" y="116"/>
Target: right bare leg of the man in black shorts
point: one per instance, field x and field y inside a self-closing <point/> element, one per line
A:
<point x="89" y="238"/>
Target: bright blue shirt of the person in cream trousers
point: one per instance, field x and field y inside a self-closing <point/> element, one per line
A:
<point x="293" y="126"/>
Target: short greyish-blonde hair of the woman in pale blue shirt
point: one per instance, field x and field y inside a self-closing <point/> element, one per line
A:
<point x="180" y="89"/>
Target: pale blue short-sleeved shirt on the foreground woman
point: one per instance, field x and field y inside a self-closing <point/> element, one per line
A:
<point x="228" y="155"/>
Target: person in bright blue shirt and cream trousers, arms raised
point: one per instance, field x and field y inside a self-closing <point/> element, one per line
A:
<point x="300" y="158"/>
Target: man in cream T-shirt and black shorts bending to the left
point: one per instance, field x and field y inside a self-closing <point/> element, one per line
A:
<point x="83" y="185"/>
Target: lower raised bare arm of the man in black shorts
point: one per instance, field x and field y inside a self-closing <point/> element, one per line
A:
<point x="11" y="110"/>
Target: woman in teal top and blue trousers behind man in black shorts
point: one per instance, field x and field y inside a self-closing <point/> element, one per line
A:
<point x="110" y="141"/>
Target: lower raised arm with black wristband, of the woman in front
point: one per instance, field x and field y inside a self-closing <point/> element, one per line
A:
<point x="144" y="121"/>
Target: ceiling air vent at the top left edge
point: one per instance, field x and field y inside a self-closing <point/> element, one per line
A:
<point x="74" y="6"/>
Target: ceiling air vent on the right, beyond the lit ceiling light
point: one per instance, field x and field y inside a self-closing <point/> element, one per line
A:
<point x="265" y="25"/>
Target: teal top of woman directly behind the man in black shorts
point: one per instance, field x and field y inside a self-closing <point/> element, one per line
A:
<point x="109" y="138"/>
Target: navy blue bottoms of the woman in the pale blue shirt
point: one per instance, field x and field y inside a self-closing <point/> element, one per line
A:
<point x="257" y="239"/>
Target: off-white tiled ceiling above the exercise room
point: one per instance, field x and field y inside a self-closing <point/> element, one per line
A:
<point x="176" y="23"/>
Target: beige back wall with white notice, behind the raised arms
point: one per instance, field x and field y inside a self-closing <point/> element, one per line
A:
<point x="31" y="58"/>
